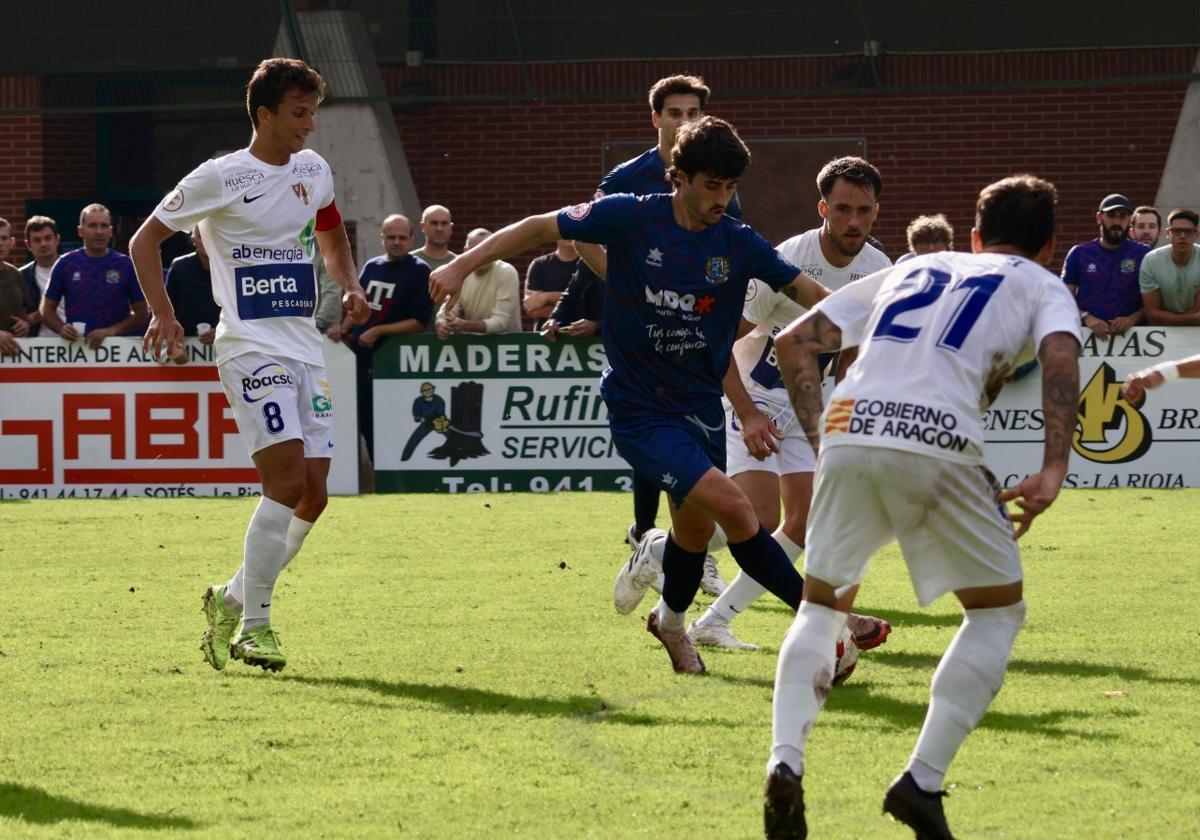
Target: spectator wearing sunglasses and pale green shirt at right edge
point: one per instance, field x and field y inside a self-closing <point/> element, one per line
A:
<point x="1171" y="277"/>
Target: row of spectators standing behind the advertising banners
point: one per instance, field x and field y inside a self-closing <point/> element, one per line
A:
<point x="1123" y="279"/>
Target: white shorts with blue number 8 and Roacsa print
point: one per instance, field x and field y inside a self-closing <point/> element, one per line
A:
<point x="277" y="399"/>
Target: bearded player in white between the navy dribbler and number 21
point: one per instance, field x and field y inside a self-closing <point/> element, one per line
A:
<point x="836" y="254"/>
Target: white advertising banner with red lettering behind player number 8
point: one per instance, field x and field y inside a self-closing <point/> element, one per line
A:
<point x="82" y="423"/>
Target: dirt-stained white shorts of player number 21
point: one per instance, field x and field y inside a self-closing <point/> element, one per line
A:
<point x="951" y="527"/>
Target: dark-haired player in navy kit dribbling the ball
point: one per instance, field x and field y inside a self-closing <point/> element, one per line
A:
<point x="677" y="277"/>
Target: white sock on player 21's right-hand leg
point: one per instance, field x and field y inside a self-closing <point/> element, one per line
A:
<point x="967" y="681"/>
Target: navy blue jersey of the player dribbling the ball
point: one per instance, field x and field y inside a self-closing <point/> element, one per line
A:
<point x="674" y="298"/>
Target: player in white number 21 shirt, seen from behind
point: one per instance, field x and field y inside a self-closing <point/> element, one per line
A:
<point x="902" y="458"/>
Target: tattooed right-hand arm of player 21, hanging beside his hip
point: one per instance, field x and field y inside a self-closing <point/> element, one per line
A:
<point x="1059" y="356"/>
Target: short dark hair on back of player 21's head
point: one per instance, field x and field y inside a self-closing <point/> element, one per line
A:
<point x="1019" y="212"/>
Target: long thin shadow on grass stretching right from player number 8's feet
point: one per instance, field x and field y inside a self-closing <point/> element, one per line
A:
<point x="479" y="701"/>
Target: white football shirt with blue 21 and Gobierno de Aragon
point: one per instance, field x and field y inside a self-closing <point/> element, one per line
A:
<point x="938" y="337"/>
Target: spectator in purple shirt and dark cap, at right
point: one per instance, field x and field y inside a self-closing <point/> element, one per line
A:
<point x="1103" y="274"/>
